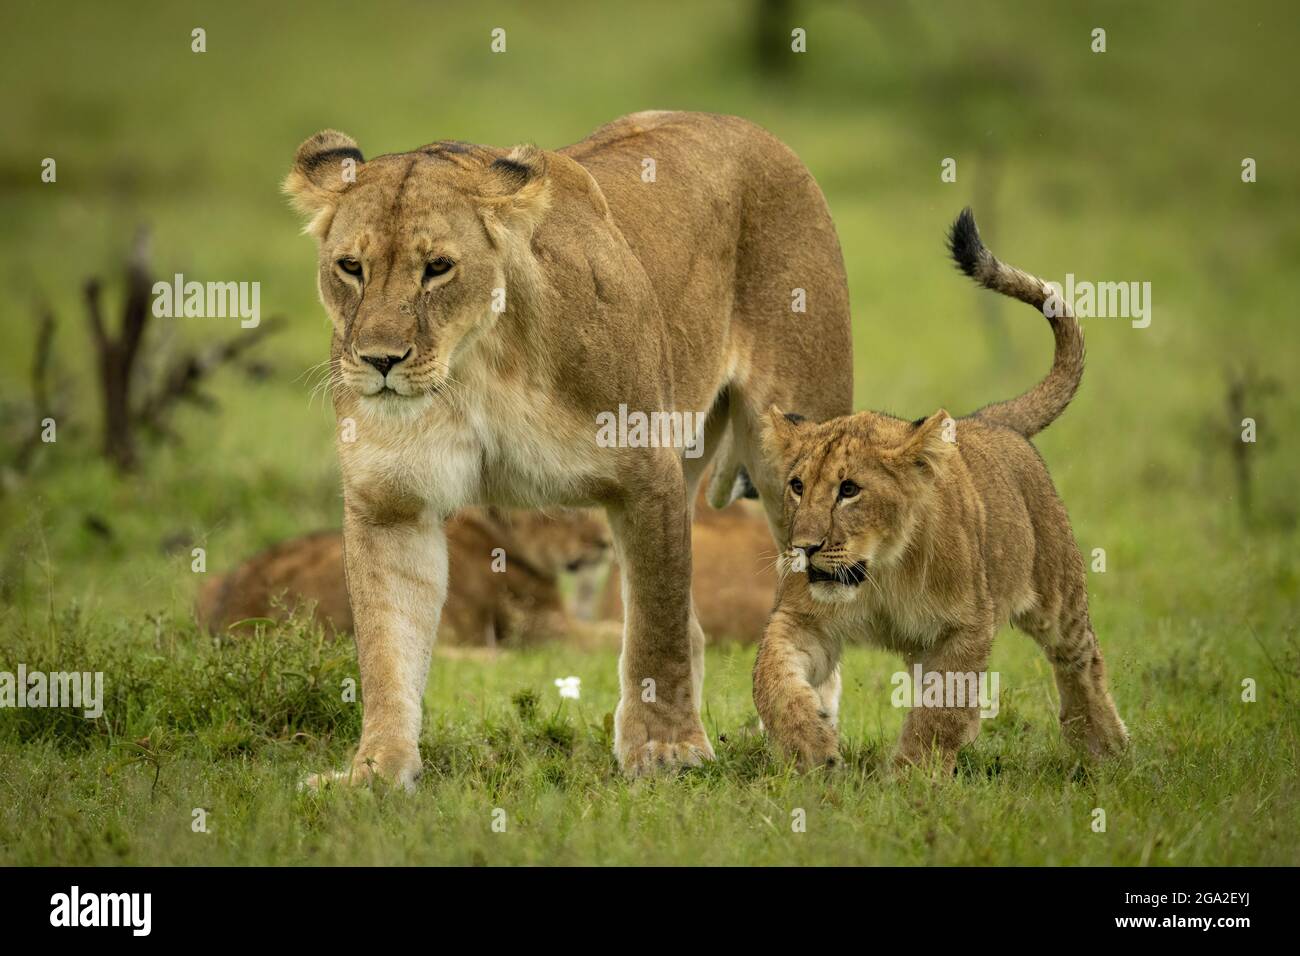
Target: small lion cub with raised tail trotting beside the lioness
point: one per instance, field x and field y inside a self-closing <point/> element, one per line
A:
<point x="925" y="538"/>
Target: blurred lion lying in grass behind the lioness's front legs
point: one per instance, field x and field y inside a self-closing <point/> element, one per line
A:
<point x="504" y="589"/>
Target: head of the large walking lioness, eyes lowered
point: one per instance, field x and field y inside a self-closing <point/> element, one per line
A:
<point x="415" y="250"/>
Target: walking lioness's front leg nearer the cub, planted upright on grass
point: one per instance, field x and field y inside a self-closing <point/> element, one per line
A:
<point x="661" y="671"/>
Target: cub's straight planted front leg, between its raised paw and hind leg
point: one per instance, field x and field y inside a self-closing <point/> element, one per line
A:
<point x="933" y="736"/>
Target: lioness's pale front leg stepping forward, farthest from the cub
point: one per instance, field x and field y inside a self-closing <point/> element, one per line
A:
<point x="397" y="579"/>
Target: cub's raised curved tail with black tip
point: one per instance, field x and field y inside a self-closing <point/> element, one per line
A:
<point x="1038" y="408"/>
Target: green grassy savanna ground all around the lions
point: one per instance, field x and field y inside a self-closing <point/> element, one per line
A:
<point x="1119" y="166"/>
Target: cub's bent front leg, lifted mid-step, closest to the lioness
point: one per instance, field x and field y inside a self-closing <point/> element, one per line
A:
<point x="796" y="690"/>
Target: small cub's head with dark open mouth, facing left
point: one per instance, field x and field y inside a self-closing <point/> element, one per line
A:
<point x="853" y="488"/>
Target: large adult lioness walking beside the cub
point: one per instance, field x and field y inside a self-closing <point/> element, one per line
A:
<point x="489" y="305"/>
